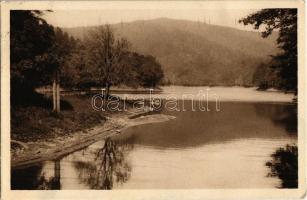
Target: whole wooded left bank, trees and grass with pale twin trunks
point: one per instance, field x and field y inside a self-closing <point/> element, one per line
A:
<point x="45" y="56"/>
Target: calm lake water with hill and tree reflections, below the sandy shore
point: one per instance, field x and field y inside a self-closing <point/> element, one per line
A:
<point x="210" y="149"/>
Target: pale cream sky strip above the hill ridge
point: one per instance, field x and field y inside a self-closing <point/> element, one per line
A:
<point x="77" y="18"/>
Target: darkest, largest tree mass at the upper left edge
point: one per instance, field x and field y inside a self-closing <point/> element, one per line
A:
<point x="31" y="42"/>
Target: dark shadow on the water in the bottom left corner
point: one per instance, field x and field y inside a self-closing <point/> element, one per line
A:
<point x="34" y="178"/>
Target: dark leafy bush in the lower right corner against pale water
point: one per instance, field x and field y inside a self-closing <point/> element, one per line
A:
<point x="284" y="165"/>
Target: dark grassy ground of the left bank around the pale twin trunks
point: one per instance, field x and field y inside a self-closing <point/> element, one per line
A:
<point x="37" y="121"/>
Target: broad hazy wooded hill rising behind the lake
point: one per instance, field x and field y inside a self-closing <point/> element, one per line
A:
<point x="196" y="53"/>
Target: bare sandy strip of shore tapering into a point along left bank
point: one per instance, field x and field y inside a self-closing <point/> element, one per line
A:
<point x="113" y="126"/>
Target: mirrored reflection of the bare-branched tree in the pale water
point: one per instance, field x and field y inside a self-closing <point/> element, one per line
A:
<point x="109" y="165"/>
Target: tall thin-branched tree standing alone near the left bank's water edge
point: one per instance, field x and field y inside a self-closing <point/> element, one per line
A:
<point x="106" y="55"/>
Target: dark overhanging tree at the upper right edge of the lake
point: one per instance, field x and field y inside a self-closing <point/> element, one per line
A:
<point x="285" y="22"/>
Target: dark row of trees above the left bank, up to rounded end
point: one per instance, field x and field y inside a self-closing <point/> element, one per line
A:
<point x="39" y="51"/>
